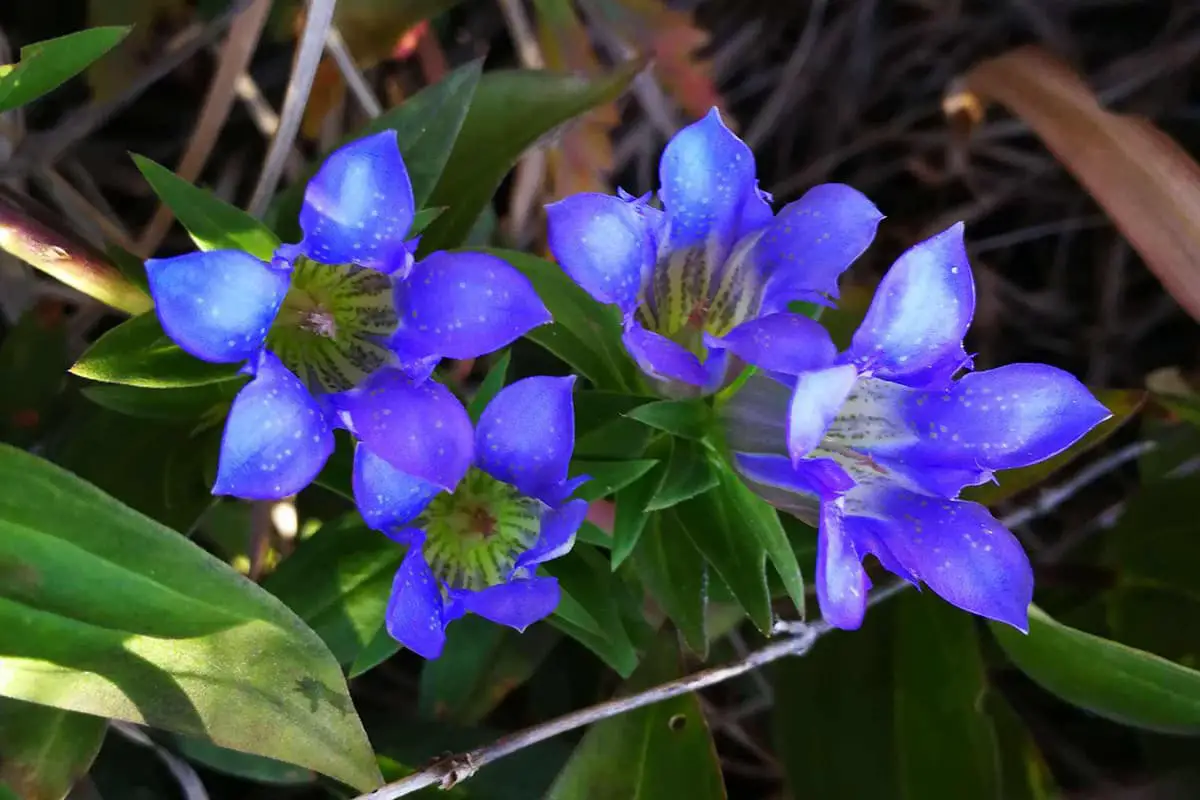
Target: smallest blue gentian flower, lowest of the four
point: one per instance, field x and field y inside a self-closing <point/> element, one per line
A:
<point x="473" y="549"/>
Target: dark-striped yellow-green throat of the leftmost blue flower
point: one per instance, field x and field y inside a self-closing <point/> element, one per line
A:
<point x="333" y="328"/>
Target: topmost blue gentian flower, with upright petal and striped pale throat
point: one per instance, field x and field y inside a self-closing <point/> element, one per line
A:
<point x="689" y="276"/>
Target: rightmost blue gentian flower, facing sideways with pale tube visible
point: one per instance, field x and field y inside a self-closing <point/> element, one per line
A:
<point x="875" y="444"/>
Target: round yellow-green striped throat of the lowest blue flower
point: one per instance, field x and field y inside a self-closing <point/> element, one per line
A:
<point x="475" y="536"/>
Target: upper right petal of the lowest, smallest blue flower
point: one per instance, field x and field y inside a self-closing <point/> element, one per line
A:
<point x="526" y="435"/>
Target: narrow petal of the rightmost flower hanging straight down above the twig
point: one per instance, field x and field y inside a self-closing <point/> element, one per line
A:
<point x="842" y="580"/>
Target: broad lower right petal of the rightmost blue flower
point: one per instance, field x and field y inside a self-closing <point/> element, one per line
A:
<point x="962" y="554"/>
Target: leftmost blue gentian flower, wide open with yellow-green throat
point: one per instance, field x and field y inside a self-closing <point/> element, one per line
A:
<point x="326" y="315"/>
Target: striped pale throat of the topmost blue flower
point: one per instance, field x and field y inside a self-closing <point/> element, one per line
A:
<point x="700" y="291"/>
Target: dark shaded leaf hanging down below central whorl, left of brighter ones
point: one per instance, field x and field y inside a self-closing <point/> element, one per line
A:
<point x="674" y="573"/>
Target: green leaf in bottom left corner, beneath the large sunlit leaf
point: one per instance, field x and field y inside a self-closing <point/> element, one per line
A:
<point x="45" y="750"/>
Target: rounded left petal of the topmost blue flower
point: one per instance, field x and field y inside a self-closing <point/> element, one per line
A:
<point x="603" y="244"/>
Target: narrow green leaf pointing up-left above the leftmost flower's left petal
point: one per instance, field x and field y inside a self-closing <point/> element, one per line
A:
<point x="212" y="222"/>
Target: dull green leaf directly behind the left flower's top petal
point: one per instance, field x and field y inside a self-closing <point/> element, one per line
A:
<point x="427" y="128"/>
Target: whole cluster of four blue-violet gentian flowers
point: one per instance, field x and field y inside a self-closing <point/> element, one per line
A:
<point x="344" y="330"/>
